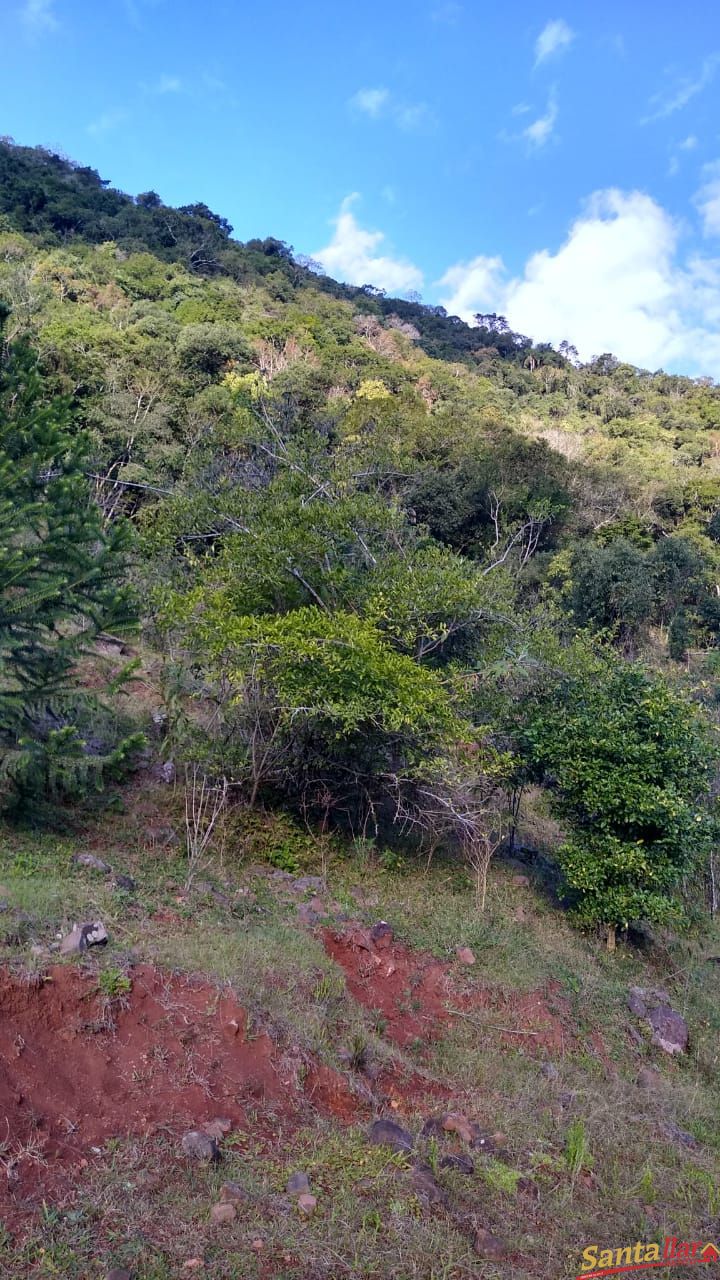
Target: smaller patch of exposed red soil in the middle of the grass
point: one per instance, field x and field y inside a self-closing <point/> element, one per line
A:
<point x="417" y="998"/>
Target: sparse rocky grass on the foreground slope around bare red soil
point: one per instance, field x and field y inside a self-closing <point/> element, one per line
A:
<point x="589" y="1156"/>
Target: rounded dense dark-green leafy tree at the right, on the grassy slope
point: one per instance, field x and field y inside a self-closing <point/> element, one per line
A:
<point x="627" y="764"/>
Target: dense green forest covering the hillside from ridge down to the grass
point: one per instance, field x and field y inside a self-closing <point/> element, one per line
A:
<point x="403" y="570"/>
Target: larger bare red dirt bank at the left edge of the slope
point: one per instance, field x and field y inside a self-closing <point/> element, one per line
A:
<point x="172" y="1055"/>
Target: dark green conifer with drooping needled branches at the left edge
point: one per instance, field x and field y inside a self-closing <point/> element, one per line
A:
<point x="61" y="586"/>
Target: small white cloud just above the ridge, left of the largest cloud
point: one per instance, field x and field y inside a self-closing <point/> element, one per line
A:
<point x="354" y="255"/>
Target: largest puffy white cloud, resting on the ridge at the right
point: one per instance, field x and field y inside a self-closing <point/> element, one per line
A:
<point x="616" y="285"/>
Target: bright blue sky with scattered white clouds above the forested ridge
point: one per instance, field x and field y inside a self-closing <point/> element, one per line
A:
<point x="560" y="164"/>
